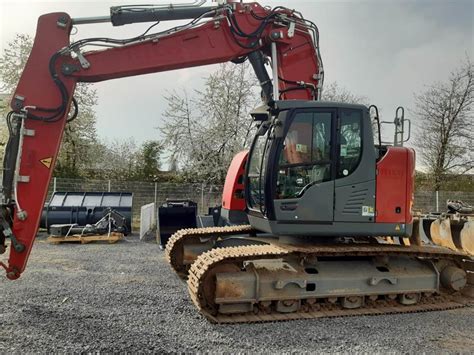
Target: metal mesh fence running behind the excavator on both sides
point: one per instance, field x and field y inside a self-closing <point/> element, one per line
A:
<point x="210" y="195"/>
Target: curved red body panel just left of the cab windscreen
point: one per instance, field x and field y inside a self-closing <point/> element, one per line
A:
<point x="233" y="194"/>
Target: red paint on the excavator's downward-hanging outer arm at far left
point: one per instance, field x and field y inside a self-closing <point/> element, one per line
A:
<point x="38" y="89"/>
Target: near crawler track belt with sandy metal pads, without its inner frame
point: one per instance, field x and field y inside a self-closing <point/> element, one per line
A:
<point x="202" y="268"/>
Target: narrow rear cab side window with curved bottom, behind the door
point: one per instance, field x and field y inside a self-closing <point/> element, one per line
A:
<point x="350" y="136"/>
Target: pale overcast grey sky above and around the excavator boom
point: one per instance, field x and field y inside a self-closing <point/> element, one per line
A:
<point x="384" y="50"/>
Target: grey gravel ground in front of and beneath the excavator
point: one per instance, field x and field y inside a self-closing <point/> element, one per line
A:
<point x="124" y="297"/>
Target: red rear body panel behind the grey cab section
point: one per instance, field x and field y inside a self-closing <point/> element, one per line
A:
<point x="394" y="188"/>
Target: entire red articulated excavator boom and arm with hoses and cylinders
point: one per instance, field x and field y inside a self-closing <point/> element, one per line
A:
<point x="44" y="95"/>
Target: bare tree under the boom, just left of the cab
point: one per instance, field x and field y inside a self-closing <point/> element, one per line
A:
<point x="204" y="131"/>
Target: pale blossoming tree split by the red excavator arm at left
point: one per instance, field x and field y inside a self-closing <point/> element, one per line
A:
<point x="80" y="135"/>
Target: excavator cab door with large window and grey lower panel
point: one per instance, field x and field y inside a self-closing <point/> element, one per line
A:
<point x="304" y="189"/>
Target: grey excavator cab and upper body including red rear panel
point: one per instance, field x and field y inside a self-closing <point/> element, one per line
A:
<point x="312" y="171"/>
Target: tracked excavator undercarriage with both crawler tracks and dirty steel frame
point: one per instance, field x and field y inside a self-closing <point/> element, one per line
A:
<point x="266" y="280"/>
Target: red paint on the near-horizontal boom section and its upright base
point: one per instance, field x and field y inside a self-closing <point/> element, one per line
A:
<point x="208" y="44"/>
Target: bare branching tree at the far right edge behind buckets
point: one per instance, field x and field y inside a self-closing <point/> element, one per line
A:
<point x="446" y="124"/>
